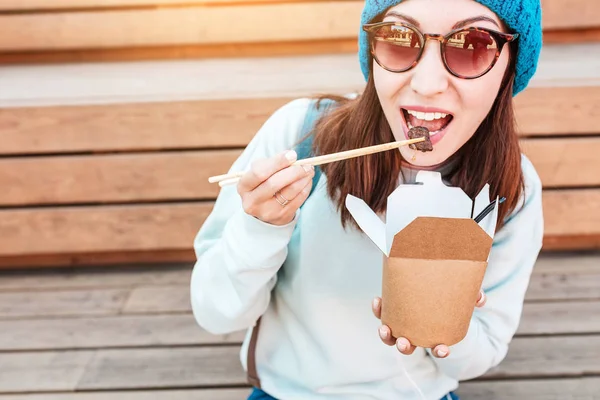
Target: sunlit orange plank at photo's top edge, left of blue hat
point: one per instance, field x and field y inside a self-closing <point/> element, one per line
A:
<point x="182" y="25"/>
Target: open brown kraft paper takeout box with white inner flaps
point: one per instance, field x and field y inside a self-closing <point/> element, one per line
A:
<point x="435" y="257"/>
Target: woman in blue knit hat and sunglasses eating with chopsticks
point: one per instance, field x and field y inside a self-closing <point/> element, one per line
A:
<point x="309" y="275"/>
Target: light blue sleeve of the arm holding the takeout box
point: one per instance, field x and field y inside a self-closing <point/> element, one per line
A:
<point x="514" y="252"/>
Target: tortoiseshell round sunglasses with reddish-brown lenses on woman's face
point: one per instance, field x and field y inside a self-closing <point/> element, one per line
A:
<point x="467" y="53"/>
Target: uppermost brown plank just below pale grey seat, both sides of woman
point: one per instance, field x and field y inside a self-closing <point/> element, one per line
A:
<point x="232" y="123"/>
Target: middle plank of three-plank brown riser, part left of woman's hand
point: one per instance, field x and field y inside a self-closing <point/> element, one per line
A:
<point x="113" y="178"/>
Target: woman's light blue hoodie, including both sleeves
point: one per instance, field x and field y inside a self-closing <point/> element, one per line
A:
<point x="313" y="282"/>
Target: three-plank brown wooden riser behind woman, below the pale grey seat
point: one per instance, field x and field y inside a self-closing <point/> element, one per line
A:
<point x="71" y="199"/>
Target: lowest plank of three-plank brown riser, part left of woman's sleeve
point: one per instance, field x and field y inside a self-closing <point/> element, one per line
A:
<point x="101" y="229"/>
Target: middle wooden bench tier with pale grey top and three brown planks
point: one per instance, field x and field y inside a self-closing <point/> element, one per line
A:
<point x="125" y="180"/>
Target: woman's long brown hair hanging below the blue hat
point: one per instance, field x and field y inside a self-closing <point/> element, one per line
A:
<point x="361" y="122"/>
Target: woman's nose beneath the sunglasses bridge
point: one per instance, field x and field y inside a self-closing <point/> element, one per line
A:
<point x="429" y="77"/>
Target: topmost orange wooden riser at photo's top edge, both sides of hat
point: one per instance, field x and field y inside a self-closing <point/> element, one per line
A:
<point x="164" y="24"/>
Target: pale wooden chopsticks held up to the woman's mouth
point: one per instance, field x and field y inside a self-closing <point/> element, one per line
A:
<point x="231" y="178"/>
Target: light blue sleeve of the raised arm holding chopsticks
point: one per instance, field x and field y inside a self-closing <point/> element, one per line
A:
<point x="238" y="256"/>
